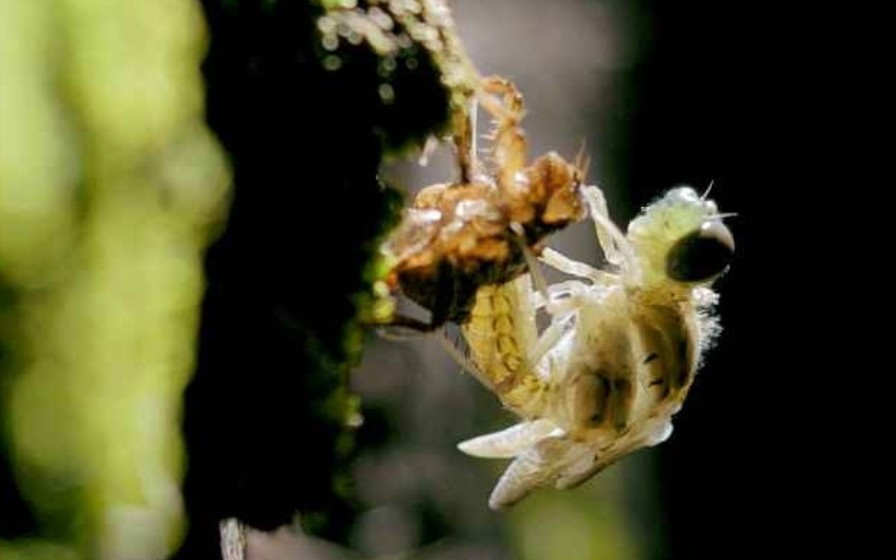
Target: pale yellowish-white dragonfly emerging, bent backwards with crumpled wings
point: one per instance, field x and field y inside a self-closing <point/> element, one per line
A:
<point x="619" y="356"/>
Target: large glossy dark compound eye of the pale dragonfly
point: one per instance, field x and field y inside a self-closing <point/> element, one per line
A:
<point x="702" y="254"/>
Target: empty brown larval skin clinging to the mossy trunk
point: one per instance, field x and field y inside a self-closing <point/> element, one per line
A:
<point x="456" y="237"/>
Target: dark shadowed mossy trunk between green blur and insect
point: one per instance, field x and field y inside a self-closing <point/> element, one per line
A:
<point x="306" y="97"/>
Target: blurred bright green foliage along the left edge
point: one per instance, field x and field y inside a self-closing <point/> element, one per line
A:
<point x="110" y="186"/>
